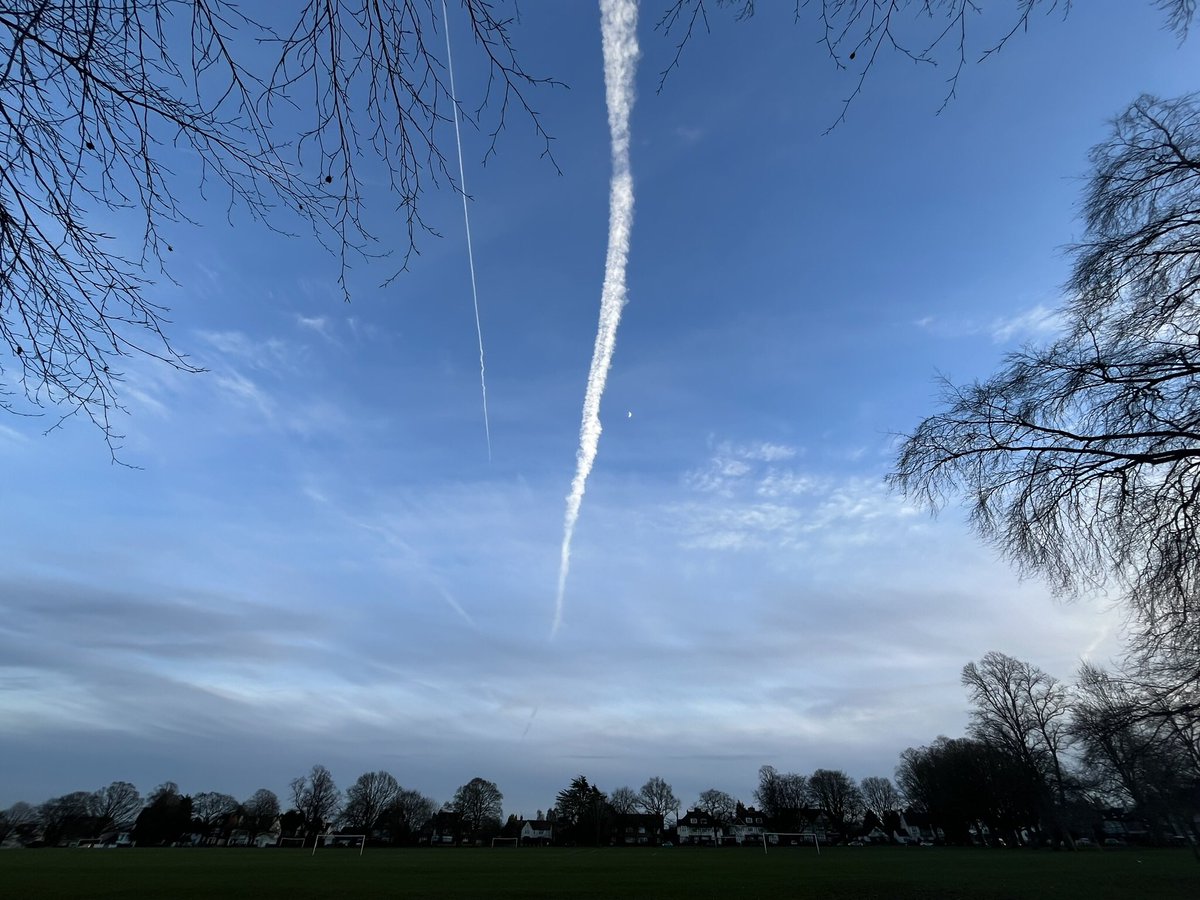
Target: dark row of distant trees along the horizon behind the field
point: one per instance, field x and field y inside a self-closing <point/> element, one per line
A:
<point x="1041" y="765"/>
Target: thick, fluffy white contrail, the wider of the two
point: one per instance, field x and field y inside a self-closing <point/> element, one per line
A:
<point x="619" y="26"/>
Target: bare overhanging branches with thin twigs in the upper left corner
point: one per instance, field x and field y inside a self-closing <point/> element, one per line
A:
<point x="103" y="100"/>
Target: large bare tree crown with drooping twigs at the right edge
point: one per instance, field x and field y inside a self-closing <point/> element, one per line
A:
<point x="1081" y="461"/>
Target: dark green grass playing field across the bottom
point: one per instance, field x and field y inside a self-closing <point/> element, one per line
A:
<point x="884" y="873"/>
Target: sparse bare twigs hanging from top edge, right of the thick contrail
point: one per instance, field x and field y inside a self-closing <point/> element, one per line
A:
<point x="932" y="33"/>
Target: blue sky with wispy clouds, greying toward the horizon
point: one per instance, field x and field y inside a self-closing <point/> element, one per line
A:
<point x="311" y="559"/>
